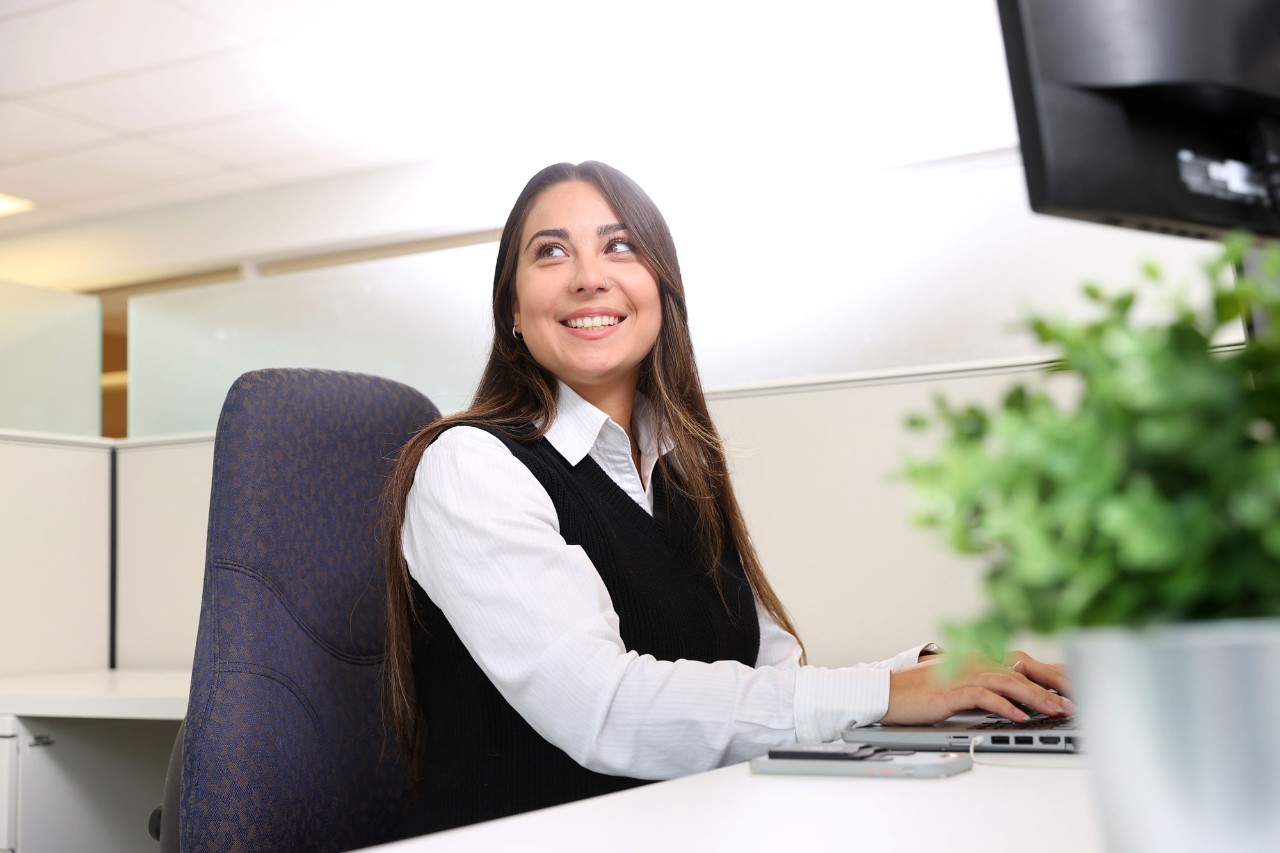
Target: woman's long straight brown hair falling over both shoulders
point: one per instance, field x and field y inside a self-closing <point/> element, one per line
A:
<point x="518" y="396"/>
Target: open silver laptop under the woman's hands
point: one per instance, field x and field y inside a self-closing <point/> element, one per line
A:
<point x="958" y="732"/>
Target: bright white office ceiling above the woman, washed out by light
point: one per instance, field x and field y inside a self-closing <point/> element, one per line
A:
<point x="113" y="106"/>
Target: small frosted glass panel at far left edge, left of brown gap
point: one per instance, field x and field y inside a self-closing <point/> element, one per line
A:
<point x="51" y="361"/>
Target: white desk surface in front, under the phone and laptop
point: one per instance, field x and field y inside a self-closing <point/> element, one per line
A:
<point x="1013" y="804"/>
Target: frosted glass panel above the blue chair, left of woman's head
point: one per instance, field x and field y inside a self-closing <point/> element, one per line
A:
<point x="420" y="320"/>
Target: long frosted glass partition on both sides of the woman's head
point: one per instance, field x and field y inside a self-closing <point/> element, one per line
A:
<point x="802" y="305"/>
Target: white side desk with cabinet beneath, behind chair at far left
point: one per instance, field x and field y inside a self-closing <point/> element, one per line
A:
<point x="84" y="758"/>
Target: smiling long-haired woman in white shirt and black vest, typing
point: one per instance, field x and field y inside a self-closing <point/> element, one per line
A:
<point x="575" y="605"/>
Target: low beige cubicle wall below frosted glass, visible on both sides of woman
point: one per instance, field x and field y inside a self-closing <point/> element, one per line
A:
<point x="815" y="473"/>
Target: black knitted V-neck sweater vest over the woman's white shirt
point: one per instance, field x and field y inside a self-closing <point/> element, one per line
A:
<point x="482" y="759"/>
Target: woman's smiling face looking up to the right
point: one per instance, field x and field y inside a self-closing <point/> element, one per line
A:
<point x="586" y="303"/>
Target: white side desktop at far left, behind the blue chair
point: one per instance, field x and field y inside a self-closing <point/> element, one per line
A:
<point x="104" y="695"/>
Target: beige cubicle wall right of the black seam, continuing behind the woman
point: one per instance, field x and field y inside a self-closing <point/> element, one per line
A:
<point x="813" y="473"/>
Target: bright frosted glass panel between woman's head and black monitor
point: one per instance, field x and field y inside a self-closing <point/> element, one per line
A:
<point x="898" y="272"/>
